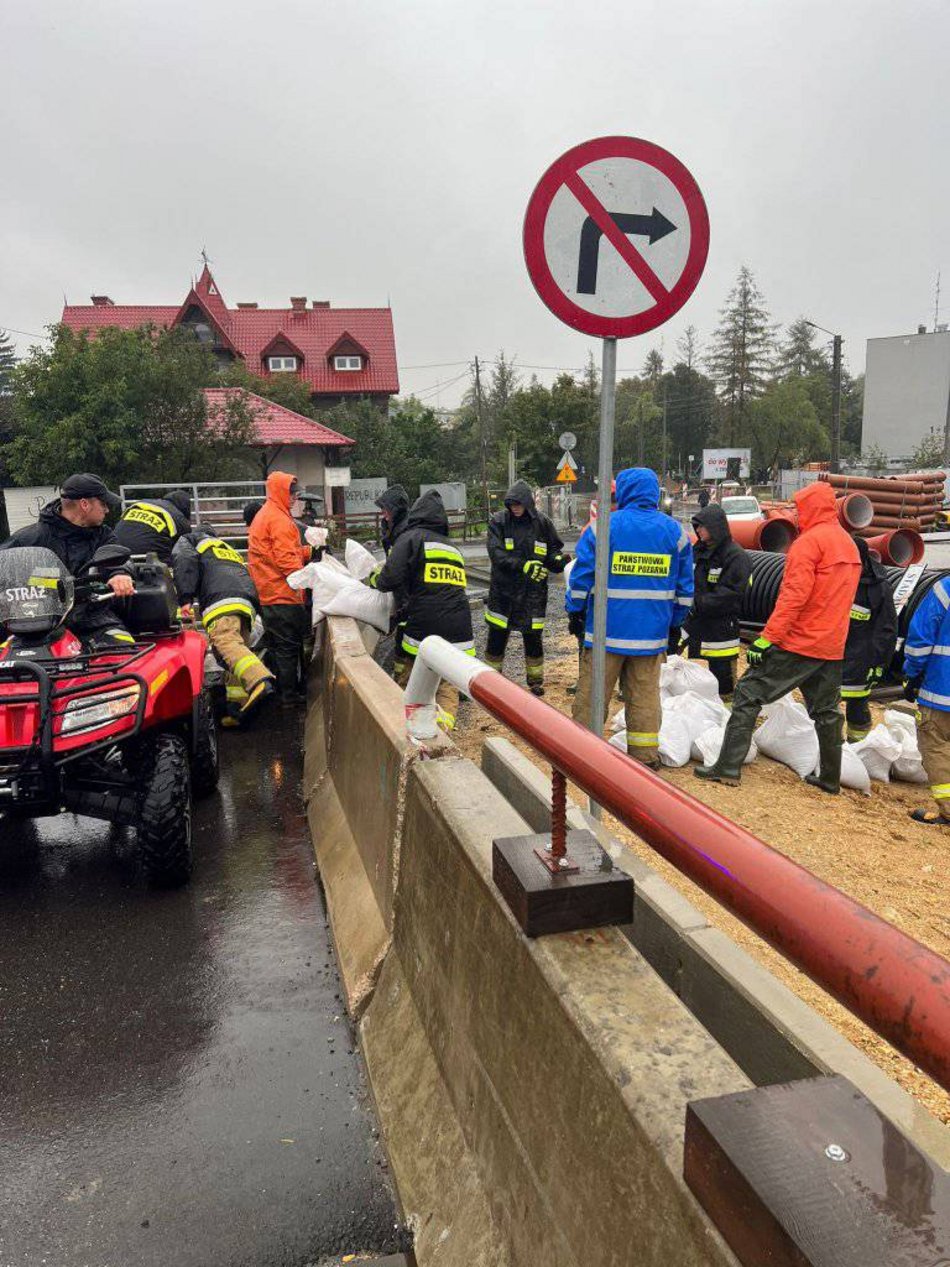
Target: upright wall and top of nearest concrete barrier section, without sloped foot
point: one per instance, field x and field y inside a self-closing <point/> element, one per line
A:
<point x="568" y="1062"/>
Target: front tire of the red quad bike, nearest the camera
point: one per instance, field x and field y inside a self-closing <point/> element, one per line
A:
<point x="164" y="820"/>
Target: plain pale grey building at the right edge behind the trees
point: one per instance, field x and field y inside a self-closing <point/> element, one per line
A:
<point x="906" y="391"/>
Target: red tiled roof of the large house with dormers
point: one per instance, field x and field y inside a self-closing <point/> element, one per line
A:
<point x="250" y="330"/>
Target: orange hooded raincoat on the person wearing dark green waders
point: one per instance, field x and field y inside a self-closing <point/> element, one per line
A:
<point x="823" y="570"/>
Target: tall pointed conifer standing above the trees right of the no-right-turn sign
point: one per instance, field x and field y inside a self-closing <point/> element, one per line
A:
<point x="740" y="357"/>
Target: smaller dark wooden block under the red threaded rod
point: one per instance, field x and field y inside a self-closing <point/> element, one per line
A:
<point x="596" y="895"/>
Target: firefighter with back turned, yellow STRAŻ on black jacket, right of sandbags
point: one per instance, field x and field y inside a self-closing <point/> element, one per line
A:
<point x="430" y="572"/>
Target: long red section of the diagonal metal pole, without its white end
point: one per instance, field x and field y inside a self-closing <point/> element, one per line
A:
<point x="892" y="983"/>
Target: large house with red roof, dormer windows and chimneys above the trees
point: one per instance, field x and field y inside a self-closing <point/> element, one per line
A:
<point x="341" y="354"/>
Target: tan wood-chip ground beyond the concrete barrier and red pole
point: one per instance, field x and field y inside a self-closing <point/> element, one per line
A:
<point x="868" y="847"/>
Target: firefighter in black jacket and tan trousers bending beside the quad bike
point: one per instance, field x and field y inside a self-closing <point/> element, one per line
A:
<point x="210" y="571"/>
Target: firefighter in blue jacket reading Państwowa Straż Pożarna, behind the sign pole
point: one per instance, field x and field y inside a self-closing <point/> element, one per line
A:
<point x="649" y="592"/>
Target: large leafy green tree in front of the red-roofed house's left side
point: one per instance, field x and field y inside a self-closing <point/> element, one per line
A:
<point x="126" y="405"/>
